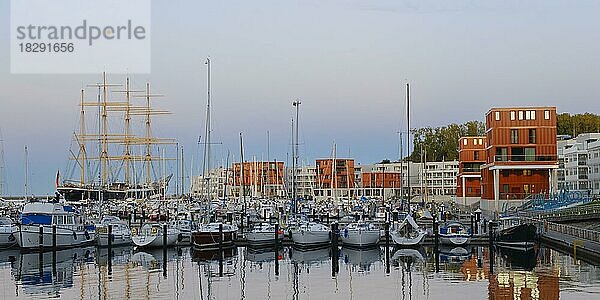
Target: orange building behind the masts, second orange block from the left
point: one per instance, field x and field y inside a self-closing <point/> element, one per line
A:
<point x="340" y="177"/>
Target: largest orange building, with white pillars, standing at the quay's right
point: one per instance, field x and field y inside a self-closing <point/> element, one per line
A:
<point x="520" y="155"/>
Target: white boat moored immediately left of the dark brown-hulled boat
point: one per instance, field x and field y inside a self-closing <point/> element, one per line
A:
<point x="151" y="235"/>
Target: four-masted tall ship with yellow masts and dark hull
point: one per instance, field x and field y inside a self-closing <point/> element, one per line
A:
<point x="114" y="148"/>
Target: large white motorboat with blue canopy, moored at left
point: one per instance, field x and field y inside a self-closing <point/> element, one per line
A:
<point x="35" y="227"/>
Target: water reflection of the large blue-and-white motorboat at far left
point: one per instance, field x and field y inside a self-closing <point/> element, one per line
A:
<point x="49" y="272"/>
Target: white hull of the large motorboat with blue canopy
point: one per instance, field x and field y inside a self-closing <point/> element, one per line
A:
<point x="28" y="237"/>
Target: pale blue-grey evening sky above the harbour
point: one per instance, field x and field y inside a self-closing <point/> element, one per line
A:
<point x="347" y="61"/>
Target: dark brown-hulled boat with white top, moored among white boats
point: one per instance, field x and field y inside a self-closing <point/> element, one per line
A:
<point x="214" y="235"/>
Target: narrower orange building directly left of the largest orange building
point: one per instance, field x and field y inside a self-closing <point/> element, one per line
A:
<point x="471" y="156"/>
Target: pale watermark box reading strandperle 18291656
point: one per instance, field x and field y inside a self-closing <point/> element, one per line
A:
<point x="80" y="36"/>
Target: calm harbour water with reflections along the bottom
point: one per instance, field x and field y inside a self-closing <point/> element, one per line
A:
<point x="462" y="273"/>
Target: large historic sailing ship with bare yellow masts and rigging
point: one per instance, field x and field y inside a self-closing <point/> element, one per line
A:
<point x="114" y="155"/>
